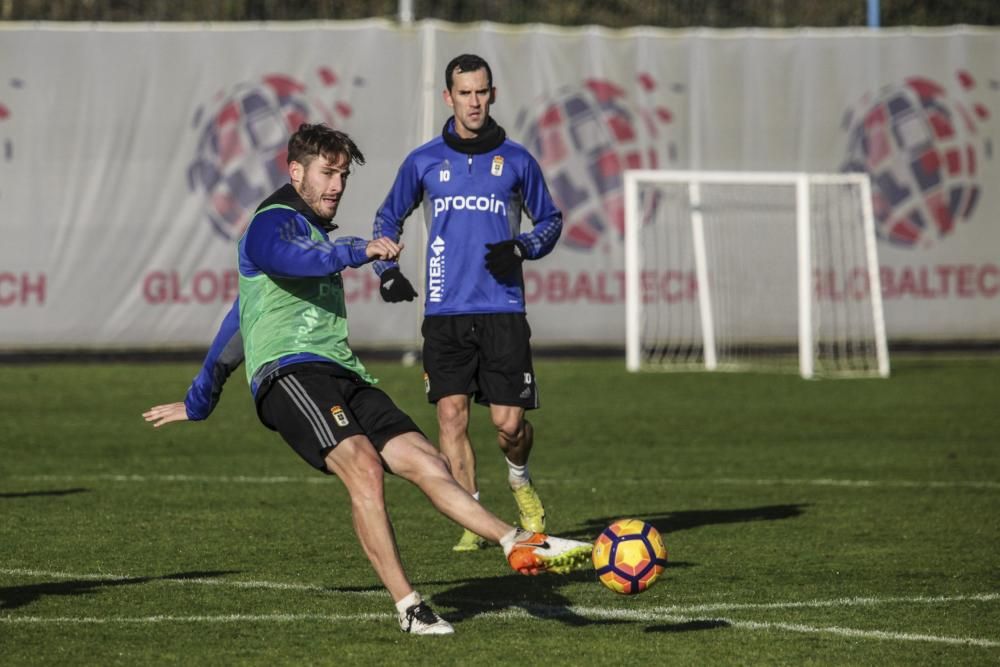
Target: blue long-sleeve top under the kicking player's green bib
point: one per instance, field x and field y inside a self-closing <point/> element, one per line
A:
<point x="277" y="243"/>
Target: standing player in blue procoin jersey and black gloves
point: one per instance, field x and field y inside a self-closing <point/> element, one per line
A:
<point x="475" y="183"/>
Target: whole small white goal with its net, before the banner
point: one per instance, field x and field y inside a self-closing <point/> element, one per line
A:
<point x="752" y="271"/>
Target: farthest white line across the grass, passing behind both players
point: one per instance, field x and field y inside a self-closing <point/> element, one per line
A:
<point x="280" y="479"/>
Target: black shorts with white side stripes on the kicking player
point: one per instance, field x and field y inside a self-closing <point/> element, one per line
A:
<point x="314" y="408"/>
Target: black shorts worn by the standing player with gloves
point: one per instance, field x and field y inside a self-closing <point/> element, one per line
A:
<point x="487" y="356"/>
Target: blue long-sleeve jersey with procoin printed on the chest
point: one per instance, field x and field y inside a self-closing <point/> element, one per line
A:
<point x="470" y="199"/>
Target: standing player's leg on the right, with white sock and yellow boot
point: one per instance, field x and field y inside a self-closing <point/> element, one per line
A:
<point x="515" y="436"/>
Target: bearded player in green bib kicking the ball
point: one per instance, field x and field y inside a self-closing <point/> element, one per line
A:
<point x="312" y="389"/>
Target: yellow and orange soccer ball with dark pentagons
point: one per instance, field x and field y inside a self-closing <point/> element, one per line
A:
<point x="629" y="556"/>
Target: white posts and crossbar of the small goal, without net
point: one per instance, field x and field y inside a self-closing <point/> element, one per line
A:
<point x="801" y="182"/>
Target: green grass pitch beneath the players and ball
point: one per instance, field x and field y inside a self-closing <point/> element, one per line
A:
<point x="827" y="522"/>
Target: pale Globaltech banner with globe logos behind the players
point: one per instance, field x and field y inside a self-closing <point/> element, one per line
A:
<point x="131" y="157"/>
